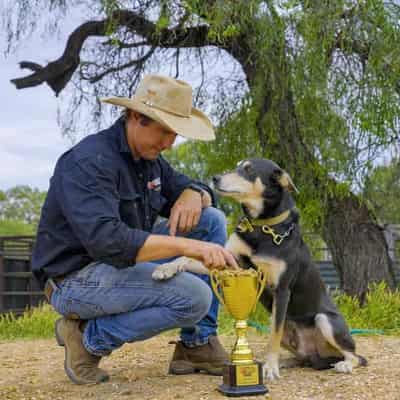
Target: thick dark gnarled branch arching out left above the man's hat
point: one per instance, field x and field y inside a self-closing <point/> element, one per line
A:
<point x="59" y="72"/>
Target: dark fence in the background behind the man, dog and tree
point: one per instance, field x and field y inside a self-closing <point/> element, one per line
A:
<point x="18" y="288"/>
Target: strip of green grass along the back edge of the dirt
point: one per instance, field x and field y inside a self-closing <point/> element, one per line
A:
<point x="382" y="311"/>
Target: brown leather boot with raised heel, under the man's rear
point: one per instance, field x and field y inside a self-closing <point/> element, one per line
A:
<point x="80" y="366"/>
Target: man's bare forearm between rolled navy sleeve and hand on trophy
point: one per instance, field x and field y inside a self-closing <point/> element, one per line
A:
<point x="161" y="246"/>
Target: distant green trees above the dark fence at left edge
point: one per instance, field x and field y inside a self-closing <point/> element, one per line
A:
<point x="21" y="204"/>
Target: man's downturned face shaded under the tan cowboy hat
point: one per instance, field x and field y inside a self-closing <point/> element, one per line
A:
<point x="147" y="140"/>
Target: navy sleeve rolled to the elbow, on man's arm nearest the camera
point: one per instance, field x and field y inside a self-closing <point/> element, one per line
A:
<point x="89" y="200"/>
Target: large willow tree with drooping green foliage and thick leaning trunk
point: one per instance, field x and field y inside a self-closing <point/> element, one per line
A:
<point x="313" y="85"/>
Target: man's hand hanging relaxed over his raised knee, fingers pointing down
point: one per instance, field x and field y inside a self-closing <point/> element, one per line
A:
<point x="186" y="212"/>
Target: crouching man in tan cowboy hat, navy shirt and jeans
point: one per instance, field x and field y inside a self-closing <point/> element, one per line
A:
<point x="97" y="244"/>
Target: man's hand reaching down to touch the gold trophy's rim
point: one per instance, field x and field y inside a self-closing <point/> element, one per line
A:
<point x="210" y="254"/>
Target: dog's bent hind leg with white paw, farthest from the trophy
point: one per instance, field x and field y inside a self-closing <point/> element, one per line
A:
<point x="341" y="340"/>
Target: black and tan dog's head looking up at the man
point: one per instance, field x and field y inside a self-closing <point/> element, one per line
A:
<point x="258" y="184"/>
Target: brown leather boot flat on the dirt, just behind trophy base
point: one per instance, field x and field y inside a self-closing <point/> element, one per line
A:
<point x="209" y="357"/>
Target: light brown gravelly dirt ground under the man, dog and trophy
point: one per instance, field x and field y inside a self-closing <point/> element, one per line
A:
<point x="34" y="370"/>
